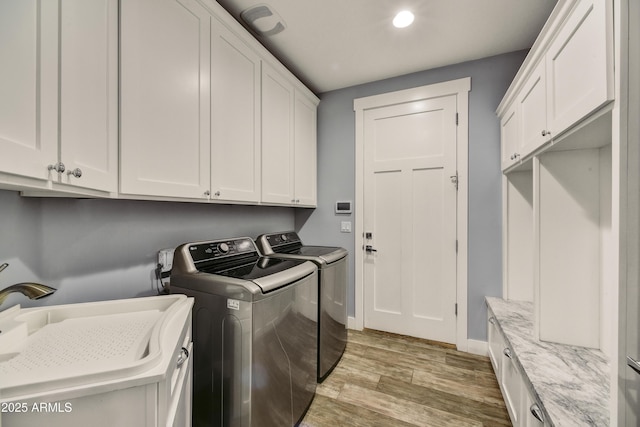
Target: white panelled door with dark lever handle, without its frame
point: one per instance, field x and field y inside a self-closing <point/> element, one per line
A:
<point x="410" y="211"/>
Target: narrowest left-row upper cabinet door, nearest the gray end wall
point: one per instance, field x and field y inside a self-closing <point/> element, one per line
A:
<point x="305" y="187"/>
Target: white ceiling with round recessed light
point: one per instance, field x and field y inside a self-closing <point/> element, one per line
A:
<point x="331" y="44"/>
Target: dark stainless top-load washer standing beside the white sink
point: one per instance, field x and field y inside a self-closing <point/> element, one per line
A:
<point x="255" y="333"/>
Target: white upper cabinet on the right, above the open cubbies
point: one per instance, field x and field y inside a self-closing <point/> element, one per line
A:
<point x="569" y="78"/>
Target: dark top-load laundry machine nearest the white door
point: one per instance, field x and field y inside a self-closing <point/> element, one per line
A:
<point x="332" y="291"/>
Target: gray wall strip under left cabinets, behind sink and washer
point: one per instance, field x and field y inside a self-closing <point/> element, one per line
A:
<point x="94" y="250"/>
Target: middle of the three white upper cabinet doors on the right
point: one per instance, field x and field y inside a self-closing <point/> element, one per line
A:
<point x="532" y="112"/>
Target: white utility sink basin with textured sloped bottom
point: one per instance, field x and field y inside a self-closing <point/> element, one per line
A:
<point x="69" y="345"/>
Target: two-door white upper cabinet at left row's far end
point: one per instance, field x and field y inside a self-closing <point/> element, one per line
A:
<point x="288" y="142"/>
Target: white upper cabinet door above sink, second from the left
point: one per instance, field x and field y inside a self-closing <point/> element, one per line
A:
<point x="88" y="93"/>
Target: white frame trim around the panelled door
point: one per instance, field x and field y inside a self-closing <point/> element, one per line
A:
<point x="460" y="88"/>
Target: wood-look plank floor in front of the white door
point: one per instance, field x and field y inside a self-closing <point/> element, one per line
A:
<point x="391" y="380"/>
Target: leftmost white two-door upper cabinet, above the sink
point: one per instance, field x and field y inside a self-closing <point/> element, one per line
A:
<point x="59" y="86"/>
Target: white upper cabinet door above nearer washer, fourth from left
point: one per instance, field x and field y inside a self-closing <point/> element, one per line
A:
<point x="235" y="117"/>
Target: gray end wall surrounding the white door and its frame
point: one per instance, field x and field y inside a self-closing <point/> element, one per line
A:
<point x="336" y="159"/>
